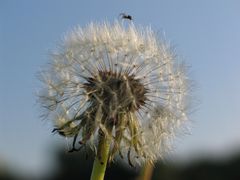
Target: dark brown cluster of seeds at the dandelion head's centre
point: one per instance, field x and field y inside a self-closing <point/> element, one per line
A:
<point x="116" y="91"/>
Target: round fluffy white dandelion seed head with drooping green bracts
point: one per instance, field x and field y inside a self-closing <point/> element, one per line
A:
<point x="116" y="89"/>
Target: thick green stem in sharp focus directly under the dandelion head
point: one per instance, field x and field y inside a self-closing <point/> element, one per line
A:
<point x="100" y="162"/>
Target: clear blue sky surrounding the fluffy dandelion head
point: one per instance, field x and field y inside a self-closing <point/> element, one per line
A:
<point x="206" y="34"/>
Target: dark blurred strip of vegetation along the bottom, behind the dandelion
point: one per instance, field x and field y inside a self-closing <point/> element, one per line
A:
<point x="79" y="166"/>
